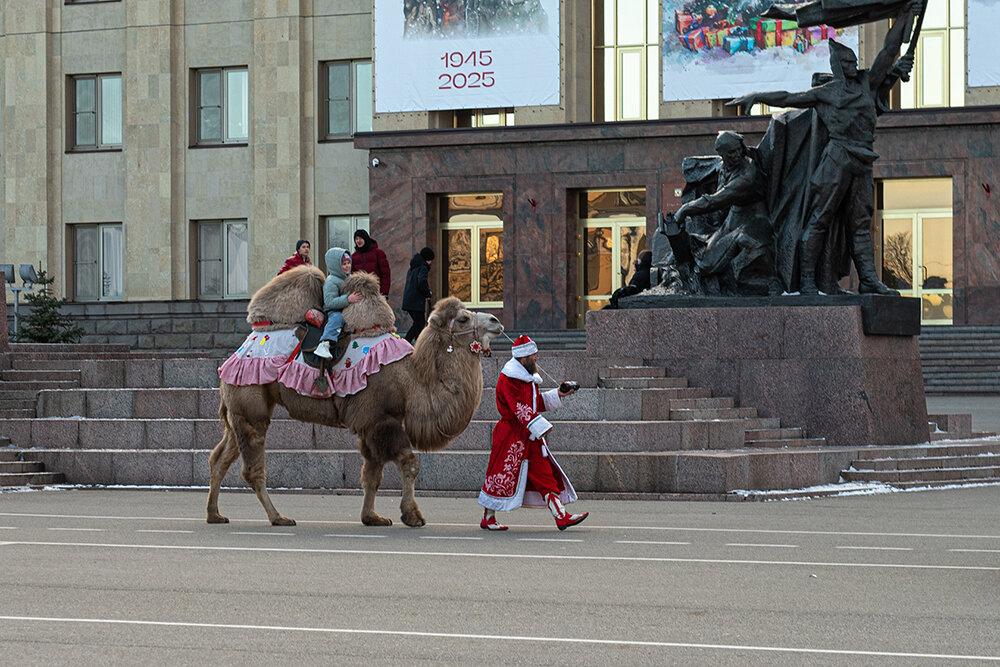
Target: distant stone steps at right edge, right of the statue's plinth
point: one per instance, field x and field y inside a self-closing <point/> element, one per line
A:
<point x="960" y="359"/>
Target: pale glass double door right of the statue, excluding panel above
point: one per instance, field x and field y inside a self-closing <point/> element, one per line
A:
<point x="917" y="259"/>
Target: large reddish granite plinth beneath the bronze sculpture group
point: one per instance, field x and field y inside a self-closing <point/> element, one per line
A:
<point x="810" y="365"/>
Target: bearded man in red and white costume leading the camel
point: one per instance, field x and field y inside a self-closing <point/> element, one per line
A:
<point x="522" y="470"/>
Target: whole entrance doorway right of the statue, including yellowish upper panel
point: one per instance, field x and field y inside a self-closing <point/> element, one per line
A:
<point x="917" y="260"/>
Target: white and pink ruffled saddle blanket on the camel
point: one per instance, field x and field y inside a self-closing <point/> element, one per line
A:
<point x="276" y="356"/>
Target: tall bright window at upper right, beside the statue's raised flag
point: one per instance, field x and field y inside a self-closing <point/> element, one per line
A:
<point x="938" y="77"/>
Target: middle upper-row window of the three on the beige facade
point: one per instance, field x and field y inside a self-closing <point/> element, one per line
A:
<point x="222" y="106"/>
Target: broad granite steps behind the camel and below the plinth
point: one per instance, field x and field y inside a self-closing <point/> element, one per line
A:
<point x="137" y="418"/>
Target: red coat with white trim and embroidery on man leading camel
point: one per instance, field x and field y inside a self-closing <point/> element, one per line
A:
<point x="521" y="427"/>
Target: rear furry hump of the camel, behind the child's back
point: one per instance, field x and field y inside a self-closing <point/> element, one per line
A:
<point x="284" y="300"/>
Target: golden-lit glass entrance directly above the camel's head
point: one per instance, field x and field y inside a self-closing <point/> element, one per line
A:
<point x="471" y="228"/>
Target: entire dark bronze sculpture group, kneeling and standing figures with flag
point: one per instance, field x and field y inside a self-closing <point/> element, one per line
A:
<point x="792" y="213"/>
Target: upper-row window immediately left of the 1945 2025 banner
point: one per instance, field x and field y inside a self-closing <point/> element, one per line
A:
<point x="347" y="98"/>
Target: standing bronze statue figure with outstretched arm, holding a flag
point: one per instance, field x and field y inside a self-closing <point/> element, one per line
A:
<point x="817" y="158"/>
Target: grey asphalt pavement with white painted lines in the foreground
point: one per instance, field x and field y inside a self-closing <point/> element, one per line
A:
<point x="138" y="577"/>
